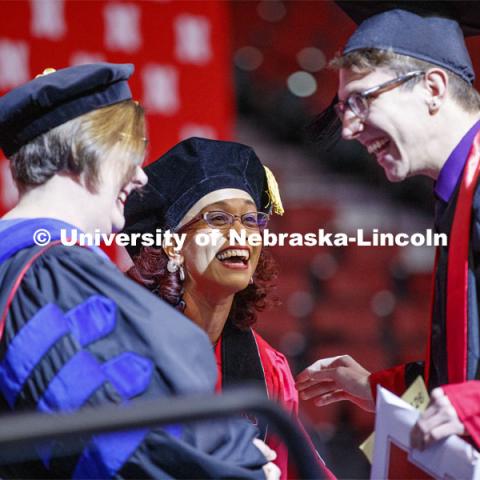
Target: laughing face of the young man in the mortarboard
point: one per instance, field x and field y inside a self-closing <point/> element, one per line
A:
<point x="396" y="128"/>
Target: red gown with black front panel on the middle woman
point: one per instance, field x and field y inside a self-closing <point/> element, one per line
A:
<point x="244" y="356"/>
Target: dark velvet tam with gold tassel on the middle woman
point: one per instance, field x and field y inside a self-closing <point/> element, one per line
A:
<point x="189" y="171"/>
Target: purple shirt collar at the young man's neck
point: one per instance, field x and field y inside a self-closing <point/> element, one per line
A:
<point x="452" y="169"/>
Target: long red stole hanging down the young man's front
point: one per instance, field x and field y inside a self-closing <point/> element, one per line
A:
<point x="457" y="271"/>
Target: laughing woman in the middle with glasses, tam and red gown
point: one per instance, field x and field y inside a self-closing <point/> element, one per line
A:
<point x="207" y="189"/>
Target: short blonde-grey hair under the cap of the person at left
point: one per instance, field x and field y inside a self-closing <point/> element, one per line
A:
<point x="80" y="145"/>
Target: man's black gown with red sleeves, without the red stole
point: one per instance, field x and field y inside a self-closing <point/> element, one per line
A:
<point x="465" y="395"/>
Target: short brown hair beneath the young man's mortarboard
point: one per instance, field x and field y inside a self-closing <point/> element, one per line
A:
<point x="368" y="59"/>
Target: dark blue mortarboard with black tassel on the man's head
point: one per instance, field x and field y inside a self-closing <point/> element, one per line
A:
<point x="432" y="31"/>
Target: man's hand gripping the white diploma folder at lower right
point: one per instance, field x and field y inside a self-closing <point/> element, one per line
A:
<point x="438" y="421"/>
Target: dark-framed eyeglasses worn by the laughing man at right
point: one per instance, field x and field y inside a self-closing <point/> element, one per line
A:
<point x="358" y="102"/>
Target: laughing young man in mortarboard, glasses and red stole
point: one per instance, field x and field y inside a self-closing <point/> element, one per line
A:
<point x="405" y="93"/>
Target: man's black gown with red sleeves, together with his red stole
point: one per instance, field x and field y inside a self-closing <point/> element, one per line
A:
<point x="462" y="358"/>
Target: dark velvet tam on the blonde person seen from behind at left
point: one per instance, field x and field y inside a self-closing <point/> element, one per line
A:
<point x="54" y="98"/>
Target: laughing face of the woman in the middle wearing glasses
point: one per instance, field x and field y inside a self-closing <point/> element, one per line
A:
<point x="221" y="268"/>
